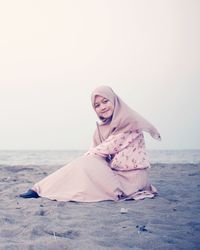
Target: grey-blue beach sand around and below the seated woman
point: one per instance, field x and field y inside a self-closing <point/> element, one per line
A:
<point x="169" y="221"/>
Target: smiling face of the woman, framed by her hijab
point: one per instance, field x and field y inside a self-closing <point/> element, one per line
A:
<point x="103" y="107"/>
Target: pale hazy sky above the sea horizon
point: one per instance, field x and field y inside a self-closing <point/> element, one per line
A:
<point x="54" y="53"/>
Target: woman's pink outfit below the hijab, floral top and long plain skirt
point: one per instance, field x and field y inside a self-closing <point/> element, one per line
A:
<point x="92" y="178"/>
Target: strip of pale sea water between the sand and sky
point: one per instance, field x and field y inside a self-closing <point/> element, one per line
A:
<point x="62" y="157"/>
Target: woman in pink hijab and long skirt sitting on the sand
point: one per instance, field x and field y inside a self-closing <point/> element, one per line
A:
<point x="114" y="168"/>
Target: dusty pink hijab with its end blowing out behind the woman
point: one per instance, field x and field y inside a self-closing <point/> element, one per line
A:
<point x="124" y="119"/>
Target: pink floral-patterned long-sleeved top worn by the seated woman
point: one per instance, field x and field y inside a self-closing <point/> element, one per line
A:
<point x="126" y="151"/>
